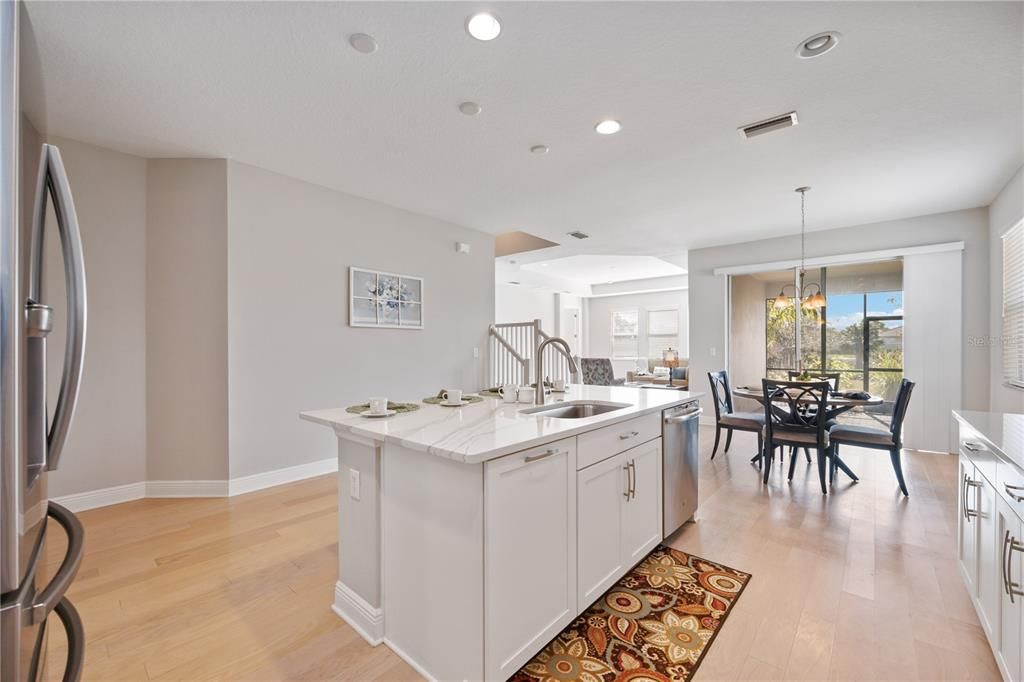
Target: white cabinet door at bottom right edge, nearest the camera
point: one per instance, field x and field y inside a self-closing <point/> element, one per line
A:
<point x="1010" y="635"/>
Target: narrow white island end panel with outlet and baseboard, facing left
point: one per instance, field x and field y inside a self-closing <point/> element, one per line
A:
<point x="358" y="594"/>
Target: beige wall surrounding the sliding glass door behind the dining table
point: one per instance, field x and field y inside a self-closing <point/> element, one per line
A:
<point x="708" y="323"/>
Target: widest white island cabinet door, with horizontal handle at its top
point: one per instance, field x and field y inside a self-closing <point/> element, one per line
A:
<point x="530" y="553"/>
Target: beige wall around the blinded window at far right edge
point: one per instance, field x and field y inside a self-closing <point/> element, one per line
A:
<point x="1006" y="211"/>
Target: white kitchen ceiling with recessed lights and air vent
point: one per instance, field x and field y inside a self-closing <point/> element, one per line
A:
<point x="919" y="110"/>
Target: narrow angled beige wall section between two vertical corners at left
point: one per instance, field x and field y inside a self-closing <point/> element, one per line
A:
<point x="187" y="322"/>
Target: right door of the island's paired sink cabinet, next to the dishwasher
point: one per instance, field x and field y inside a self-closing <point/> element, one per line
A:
<point x="643" y="511"/>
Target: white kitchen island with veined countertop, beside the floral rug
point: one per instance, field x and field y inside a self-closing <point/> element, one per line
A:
<point x="471" y="537"/>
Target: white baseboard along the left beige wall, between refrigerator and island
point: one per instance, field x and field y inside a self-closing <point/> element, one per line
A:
<point x="195" y="489"/>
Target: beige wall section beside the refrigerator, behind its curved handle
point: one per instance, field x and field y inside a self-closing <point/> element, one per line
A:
<point x="107" y="445"/>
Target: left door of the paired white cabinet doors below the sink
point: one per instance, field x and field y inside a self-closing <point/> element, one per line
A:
<point x="602" y="491"/>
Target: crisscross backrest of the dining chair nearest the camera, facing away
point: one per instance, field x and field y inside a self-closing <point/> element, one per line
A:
<point x="788" y="408"/>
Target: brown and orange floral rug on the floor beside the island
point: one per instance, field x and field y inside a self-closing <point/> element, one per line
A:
<point x="656" y="624"/>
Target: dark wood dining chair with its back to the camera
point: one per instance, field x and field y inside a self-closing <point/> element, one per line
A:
<point x="796" y="416"/>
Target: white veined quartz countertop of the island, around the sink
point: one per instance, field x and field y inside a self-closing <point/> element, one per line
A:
<point x="490" y="430"/>
